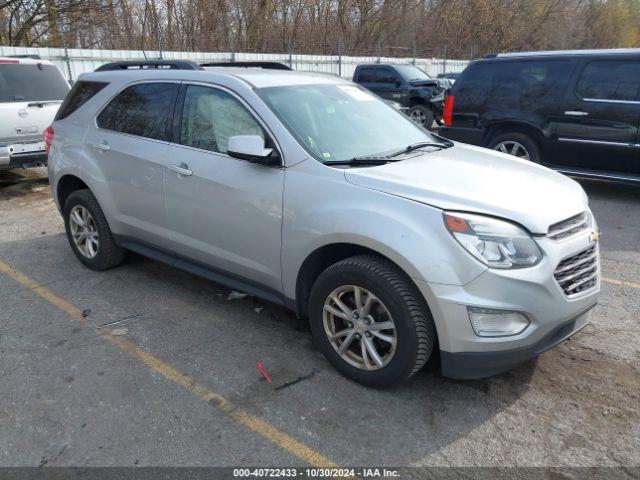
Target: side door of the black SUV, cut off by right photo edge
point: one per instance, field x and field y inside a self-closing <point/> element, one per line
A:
<point x="599" y="126"/>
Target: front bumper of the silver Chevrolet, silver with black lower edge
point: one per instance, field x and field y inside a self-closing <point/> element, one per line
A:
<point x="533" y="292"/>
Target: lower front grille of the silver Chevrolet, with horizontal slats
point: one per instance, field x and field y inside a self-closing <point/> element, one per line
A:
<point x="578" y="273"/>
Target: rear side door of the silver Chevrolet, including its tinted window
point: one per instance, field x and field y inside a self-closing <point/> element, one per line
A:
<point x="129" y="142"/>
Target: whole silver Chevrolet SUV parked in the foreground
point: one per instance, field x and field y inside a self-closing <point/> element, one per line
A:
<point x="309" y="191"/>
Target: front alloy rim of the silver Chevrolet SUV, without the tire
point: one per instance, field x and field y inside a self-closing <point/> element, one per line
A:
<point x="359" y="327"/>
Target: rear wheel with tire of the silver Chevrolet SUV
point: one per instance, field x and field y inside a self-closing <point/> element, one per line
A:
<point x="88" y="232"/>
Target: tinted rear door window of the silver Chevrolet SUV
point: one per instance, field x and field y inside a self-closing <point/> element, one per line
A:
<point x="145" y="110"/>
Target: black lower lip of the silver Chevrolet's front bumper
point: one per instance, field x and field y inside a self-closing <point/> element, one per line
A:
<point x="474" y="365"/>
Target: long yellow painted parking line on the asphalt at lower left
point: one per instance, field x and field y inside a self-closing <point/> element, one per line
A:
<point x="256" y="424"/>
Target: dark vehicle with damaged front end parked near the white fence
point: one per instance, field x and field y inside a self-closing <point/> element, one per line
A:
<point x="407" y="85"/>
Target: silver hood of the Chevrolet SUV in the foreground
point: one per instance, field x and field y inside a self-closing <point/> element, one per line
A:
<point x="474" y="179"/>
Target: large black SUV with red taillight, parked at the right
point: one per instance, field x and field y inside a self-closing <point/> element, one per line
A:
<point x="575" y="111"/>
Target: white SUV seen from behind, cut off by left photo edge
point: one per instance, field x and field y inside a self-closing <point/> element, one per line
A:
<point x="31" y="91"/>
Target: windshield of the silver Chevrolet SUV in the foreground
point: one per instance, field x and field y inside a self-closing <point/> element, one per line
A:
<point x="337" y="123"/>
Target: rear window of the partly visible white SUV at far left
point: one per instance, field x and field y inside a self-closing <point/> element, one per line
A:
<point x="20" y="82"/>
